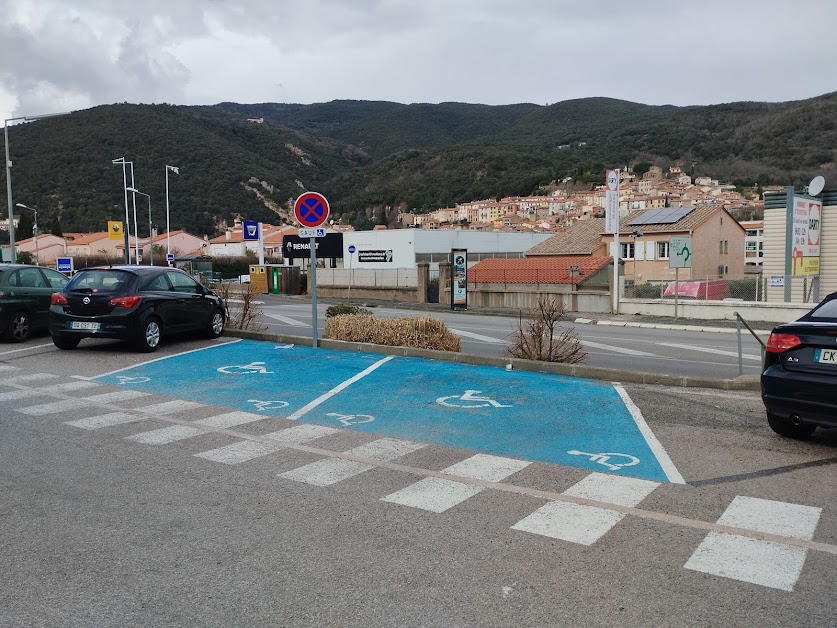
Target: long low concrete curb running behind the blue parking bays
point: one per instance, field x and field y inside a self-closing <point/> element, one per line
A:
<point x="747" y="382"/>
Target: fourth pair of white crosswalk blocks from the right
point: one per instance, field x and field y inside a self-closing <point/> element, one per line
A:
<point x="332" y="470"/>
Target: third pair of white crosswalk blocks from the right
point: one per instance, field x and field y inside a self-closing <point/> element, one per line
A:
<point x="440" y="494"/>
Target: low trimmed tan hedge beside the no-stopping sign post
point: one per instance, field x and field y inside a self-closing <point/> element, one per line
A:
<point x="422" y="333"/>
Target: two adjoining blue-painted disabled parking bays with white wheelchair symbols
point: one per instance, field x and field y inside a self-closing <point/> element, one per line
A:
<point x="532" y="416"/>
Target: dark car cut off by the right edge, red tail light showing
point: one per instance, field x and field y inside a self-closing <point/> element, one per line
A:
<point x="799" y="381"/>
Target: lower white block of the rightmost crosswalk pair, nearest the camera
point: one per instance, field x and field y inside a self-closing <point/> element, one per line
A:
<point x="765" y="563"/>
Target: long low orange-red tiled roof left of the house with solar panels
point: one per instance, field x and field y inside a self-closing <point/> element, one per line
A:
<point x="554" y="270"/>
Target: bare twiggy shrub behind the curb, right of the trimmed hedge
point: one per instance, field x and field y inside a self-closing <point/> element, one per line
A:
<point x="537" y="339"/>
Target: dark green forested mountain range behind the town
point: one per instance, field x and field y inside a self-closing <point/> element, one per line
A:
<point x="370" y="157"/>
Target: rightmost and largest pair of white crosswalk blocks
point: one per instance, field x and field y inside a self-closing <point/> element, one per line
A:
<point x="769" y="564"/>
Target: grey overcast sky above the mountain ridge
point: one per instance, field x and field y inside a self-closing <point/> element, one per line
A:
<point x="57" y="55"/>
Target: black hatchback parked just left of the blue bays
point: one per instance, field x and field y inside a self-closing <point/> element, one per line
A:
<point x="141" y="304"/>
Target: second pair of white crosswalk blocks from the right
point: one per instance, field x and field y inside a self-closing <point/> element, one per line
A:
<point x="578" y="523"/>
